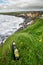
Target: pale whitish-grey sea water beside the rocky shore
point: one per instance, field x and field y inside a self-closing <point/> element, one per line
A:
<point x="9" y="25"/>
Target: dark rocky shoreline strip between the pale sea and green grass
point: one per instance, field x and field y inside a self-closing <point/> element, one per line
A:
<point x="21" y="27"/>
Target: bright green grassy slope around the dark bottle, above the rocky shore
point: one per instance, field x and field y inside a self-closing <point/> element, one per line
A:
<point x="29" y="43"/>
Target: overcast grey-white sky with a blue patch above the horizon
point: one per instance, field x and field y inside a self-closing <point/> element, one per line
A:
<point x="16" y="5"/>
